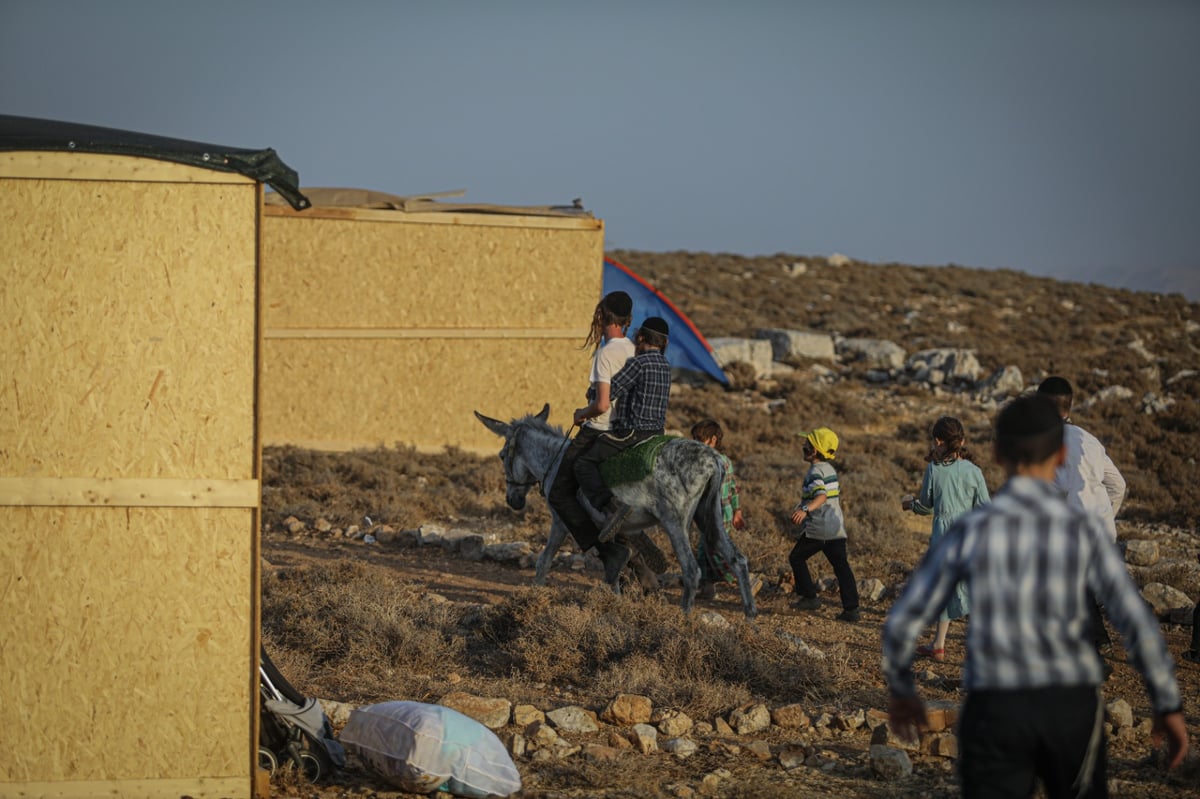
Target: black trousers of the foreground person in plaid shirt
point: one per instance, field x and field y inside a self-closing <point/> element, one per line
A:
<point x="1010" y="740"/>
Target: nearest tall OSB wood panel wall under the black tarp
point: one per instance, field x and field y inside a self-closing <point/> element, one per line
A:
<point x="129" y="478"/>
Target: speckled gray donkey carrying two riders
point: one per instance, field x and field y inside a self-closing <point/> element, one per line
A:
<point x="686" y="484"/>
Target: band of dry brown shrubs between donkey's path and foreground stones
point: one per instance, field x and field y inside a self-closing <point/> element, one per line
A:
<point x="364" y="636"/>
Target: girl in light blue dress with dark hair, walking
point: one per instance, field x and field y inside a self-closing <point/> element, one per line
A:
<point x="952" y="486"/>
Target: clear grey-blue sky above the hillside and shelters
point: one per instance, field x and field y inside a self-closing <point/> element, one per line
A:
<point x="1059" y="139"/>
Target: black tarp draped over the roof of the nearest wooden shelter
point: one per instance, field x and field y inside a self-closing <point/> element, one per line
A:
<point x="265" y="166"/>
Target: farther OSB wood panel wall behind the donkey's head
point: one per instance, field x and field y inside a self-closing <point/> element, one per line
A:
<point x="383" y="328"/>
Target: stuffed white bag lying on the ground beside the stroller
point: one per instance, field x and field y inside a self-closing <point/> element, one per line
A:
<point x="423" y="748"/>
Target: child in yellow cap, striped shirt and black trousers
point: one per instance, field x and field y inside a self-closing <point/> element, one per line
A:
<point x="823" y="527"/>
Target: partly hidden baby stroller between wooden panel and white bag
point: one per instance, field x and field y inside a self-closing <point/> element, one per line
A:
<point x="293" y="730"/>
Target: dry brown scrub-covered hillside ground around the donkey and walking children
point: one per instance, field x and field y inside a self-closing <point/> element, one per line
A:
<point x="358" y="623"/>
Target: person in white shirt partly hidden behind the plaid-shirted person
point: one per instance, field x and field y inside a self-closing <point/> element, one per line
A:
<point x="1088" y="478"/>
